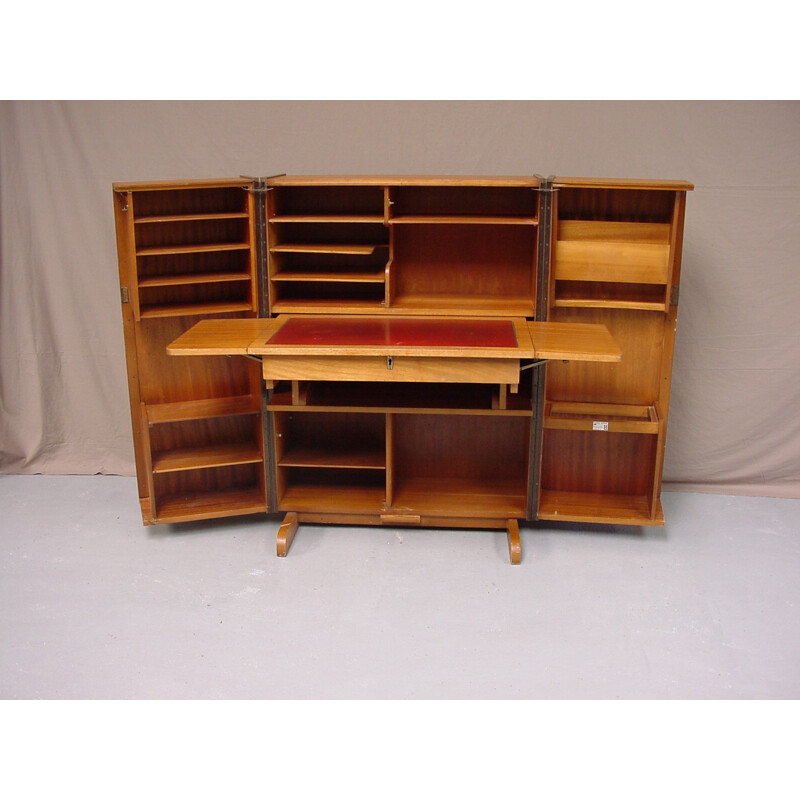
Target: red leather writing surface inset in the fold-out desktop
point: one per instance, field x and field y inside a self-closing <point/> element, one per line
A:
<point x="396" y="332"/>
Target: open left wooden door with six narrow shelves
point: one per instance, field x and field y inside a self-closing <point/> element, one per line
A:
<point x="188" y="251"/>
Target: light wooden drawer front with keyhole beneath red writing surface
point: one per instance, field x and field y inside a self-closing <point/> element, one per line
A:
<point x="399" y="368"/>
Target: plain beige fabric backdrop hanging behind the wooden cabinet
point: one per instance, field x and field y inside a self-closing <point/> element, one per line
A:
<point x="735" y="413"/>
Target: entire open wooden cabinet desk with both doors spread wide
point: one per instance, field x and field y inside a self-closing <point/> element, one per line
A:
<point x="400" y="350"/>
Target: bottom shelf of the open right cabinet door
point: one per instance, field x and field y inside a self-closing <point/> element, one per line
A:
<point x="598" y="508"/>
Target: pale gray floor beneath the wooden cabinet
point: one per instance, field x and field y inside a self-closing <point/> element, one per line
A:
<point x="93" y="605"/>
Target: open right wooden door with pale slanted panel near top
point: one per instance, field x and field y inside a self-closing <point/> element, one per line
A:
<point x="616" y="250"/>
